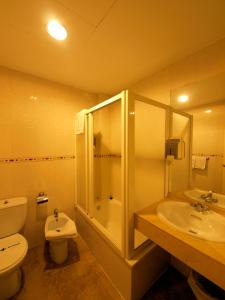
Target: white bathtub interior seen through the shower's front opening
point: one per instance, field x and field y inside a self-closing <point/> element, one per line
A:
<point x="108" y="213"/>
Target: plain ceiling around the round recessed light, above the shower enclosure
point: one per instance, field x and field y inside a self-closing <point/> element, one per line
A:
<point x="111" y="44"/>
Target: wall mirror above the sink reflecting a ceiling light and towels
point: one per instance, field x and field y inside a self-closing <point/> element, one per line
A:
<point x="205" y="102"/>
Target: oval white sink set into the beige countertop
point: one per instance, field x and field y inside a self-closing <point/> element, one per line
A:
<point x="181" y="215"/>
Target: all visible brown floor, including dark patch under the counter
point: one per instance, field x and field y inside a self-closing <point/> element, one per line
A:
<point x="82" y="278"/>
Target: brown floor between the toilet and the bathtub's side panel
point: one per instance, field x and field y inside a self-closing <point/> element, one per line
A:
<point x="81" y="279"/>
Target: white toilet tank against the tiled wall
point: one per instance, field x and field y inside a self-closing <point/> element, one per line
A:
<point x="13" y="212"/>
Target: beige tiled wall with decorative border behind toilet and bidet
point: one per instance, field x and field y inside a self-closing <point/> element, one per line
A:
<point x="37" y="120"/>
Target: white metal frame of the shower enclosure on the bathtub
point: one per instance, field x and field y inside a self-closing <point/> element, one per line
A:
<point x="127" y="99"/>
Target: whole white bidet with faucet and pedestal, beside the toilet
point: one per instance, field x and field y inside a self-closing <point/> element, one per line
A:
<point x="58" y="229"/>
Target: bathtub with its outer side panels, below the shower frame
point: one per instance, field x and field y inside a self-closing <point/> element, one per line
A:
<point x="103" y="236"/>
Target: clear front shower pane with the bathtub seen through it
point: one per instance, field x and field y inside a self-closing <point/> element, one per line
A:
<point x="107" y="169"/>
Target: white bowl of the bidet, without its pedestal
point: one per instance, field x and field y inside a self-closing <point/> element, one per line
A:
<point x="61" y="228"/>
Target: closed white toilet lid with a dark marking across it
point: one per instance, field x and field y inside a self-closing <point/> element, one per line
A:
<point x="13" y="249"/>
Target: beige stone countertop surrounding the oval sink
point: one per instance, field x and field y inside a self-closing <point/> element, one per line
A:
<point x="205" y="257"/>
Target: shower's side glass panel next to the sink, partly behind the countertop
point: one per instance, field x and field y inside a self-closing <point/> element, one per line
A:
<point x="149" y="157"/>
